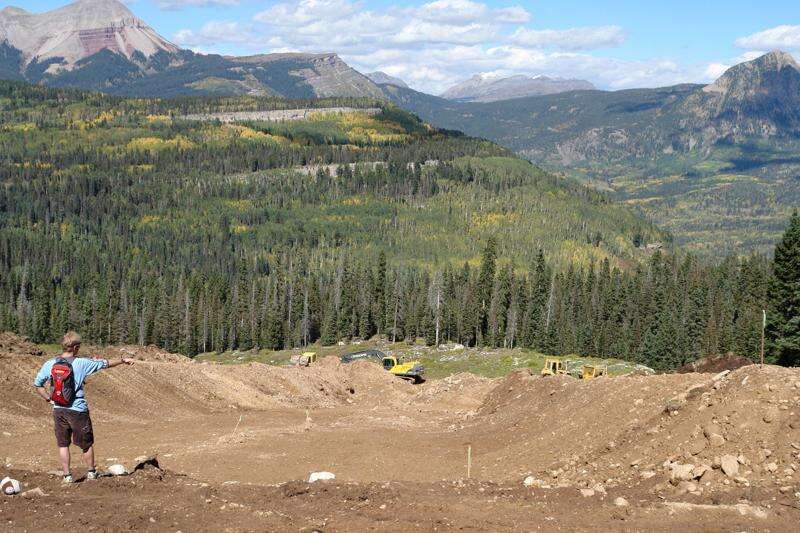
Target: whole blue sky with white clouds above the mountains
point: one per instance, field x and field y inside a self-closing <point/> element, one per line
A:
<point x="435" y="43"/>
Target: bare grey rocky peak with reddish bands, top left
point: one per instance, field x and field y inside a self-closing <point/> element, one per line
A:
<point x="78" y="31"/>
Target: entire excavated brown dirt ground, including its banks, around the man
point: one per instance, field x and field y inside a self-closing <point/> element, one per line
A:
<point x="235" y="444"/>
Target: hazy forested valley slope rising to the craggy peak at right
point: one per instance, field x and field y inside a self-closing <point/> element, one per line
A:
<point x="717" y="168"/>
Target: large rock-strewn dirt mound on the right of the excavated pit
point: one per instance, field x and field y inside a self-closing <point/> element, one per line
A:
<point x="699" y="434"/>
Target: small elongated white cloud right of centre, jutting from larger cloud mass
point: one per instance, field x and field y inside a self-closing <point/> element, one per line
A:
<point x="570" y="39"/>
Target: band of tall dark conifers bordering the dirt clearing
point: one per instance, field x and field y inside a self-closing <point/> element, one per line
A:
<point x="663" y="314"/>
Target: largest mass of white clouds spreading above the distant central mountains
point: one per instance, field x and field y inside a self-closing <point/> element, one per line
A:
<point x="437" y="44"/>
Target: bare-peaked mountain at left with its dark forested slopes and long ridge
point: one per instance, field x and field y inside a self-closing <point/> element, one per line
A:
<point x="102" y="45"/>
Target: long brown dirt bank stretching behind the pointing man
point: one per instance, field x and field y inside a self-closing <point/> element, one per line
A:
<point x="173" y="385"/>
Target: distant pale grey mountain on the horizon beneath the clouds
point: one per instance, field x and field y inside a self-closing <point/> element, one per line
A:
<point x="482" y="88"/>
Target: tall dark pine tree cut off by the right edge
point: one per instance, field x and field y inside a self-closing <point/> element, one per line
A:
<point x="784" y="297"/>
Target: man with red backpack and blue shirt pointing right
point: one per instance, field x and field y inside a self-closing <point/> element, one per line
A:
<point x="66" y="375"/>
